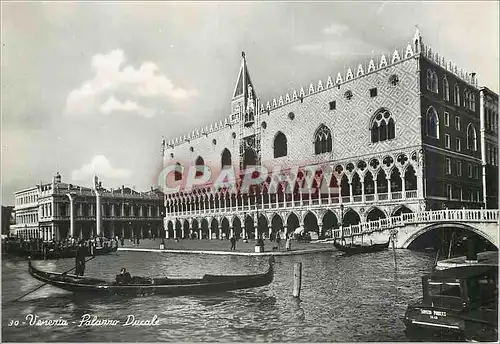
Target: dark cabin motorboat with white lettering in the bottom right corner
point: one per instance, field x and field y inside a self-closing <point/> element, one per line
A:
<point x="457" y="302"/>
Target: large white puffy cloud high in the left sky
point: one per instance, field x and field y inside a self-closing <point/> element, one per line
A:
<point x="110" y="76"/>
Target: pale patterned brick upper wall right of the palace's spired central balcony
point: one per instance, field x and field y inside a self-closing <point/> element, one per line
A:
<point x="350" y="121"/>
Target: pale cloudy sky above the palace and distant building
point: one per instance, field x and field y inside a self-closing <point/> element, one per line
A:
<point x="91" y="87"/>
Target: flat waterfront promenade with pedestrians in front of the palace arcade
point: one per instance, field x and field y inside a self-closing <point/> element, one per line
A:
<point x="222" y="247"/>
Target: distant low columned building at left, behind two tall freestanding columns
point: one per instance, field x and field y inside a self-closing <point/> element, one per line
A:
<point x="58" y="210"/>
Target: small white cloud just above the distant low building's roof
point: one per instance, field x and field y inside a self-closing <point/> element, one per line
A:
<point x="101" y="167"/>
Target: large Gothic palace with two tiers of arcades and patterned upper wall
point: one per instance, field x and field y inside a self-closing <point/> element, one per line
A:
<point x="400" y="133"/>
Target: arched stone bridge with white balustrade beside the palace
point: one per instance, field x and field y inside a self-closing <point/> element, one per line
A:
<point x="409" y="226"/>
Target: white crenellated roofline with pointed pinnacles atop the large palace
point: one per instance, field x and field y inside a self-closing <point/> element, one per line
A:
<point x="414" y="49"/>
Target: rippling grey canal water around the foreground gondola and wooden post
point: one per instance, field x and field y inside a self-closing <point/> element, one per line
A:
<point x="358" y="298"/>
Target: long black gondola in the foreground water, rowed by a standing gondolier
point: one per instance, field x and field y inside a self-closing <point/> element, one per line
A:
<point x="141" y="286"/>
